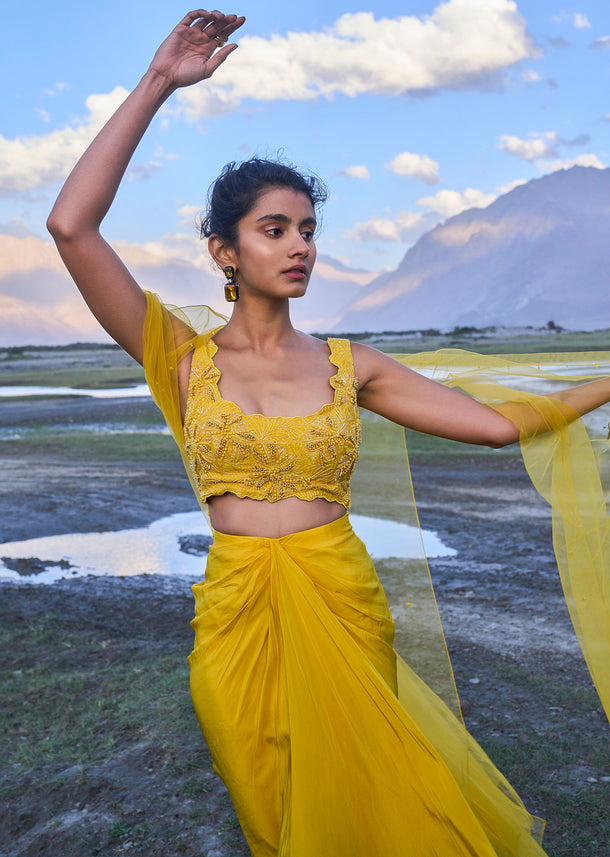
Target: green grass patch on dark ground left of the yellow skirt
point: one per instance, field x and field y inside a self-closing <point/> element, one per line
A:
<point x="63" y="710"/>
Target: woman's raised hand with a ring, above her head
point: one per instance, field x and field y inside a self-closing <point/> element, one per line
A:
<point x="196" y="47"/>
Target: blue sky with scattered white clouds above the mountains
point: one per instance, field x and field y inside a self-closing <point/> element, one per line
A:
<point x="410" y="112"/>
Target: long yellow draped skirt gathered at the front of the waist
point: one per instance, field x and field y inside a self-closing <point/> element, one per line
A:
<point x="329" y="744"/>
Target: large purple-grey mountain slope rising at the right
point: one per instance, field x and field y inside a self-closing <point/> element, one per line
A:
<point x="538" y="253"/>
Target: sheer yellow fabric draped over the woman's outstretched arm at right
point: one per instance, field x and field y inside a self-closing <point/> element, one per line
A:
<point x="567" y="459"/>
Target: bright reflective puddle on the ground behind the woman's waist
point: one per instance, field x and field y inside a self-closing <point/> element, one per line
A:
<point x="156" y="549"/>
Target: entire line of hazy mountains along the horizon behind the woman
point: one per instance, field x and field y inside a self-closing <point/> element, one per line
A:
<point x="539" y="253"/>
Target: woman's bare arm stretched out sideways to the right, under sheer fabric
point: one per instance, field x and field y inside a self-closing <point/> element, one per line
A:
<point x="412" y="400"/>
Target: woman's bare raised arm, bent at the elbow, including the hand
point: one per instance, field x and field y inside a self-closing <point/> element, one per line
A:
<point x="190" y="53"/>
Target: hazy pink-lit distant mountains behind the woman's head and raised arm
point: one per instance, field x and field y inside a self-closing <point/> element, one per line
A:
<point x="39" y="304"/>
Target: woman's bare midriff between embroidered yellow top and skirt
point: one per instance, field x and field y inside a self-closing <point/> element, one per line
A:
<point x="246" y="517"/>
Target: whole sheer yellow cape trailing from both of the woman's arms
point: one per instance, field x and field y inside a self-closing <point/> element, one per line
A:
<point x="568" y="463"/>
